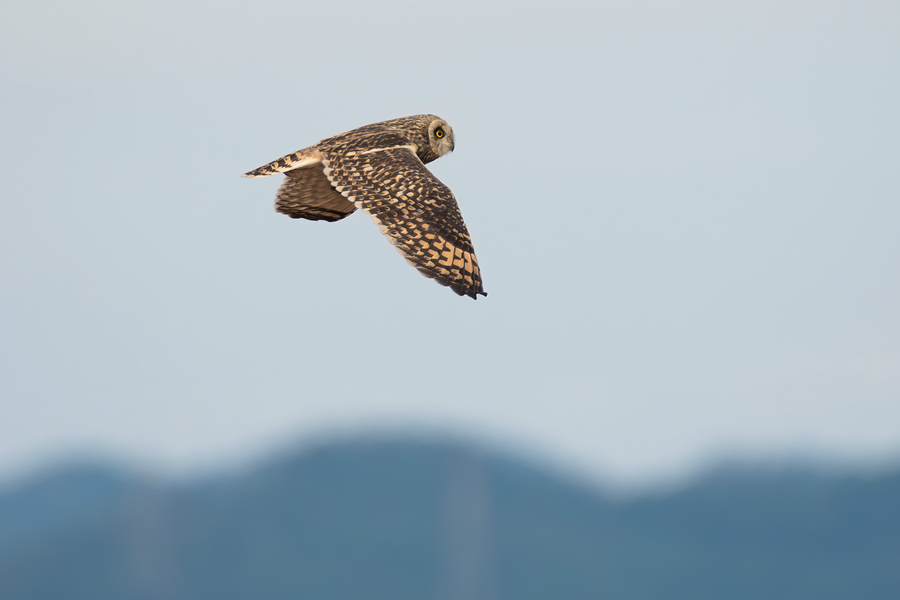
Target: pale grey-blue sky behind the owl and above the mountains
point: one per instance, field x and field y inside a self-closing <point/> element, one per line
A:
<point x="686" y="214"/>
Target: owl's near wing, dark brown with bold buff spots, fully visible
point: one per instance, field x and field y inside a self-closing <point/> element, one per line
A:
<point x="417" y="212"/>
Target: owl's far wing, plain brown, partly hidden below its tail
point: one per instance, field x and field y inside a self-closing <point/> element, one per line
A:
<point x="307" y="194"/>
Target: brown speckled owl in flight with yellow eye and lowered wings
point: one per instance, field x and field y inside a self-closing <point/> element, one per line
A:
<point x="380" y="168"/>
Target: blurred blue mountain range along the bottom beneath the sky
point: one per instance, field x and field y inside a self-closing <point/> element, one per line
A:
<point x="409" y="520"/>
